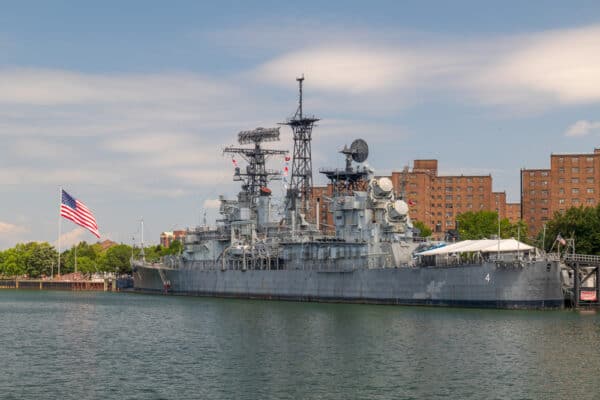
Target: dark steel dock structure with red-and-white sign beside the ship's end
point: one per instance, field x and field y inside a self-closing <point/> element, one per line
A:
<point x="583" y="279"/>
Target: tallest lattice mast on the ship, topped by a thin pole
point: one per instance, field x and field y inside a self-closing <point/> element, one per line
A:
<point x="301" y="178"/>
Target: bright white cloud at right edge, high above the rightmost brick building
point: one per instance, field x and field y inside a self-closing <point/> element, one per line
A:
<point x="561" y="66"/>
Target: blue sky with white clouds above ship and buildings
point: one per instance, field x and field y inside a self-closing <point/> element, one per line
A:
<point x="128" y="105"/>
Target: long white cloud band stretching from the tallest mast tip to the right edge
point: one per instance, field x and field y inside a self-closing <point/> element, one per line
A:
<point x="534" y="70"/>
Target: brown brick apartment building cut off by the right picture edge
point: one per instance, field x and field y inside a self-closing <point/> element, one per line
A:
<point x="571" y="181"/>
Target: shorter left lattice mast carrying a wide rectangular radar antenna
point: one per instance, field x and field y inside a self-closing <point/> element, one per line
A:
<point x="255" y="176"/>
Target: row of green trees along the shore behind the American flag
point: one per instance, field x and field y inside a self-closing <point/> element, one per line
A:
<point x="39" y="259"/>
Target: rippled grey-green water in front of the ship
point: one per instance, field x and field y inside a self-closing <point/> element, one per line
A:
<point x="78" y="345"/>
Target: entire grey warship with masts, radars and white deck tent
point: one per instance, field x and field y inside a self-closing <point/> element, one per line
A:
<point x="371" y="255"/>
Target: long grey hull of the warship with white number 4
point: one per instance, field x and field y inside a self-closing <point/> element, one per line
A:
<point x="534" y="285"/>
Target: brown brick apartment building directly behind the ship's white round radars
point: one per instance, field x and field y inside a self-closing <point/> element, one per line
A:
<point x="433" y="199"/>
